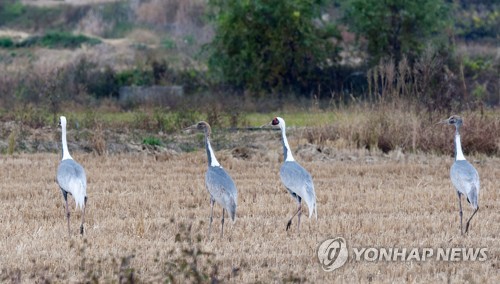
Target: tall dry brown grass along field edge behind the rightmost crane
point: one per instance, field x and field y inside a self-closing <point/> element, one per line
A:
<point x="395" y="127"/>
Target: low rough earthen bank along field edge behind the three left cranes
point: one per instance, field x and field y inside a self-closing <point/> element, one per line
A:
<point x="242" y="144"/>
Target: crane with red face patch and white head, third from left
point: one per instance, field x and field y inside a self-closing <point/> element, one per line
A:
<point x="295" y="178"/>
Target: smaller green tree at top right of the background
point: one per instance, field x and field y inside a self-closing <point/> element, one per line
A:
<point x="396" y="27"/>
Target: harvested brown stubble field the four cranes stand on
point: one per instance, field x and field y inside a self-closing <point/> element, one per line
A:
<point x="146" y="216"/>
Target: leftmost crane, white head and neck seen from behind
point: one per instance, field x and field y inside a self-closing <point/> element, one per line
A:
<point x="71" y="178"/>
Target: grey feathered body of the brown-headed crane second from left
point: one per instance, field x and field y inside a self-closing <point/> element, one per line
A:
<point x="222" y="189"/>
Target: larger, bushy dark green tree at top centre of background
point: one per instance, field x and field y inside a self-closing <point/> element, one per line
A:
<point x="270" y="45"/>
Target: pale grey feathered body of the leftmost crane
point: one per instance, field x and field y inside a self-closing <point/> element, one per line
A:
<point x="71" y="179"/>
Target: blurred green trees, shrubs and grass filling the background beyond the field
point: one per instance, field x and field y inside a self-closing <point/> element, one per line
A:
<point x="237" y="59"/>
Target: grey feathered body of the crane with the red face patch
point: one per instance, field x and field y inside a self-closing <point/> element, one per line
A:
<point x="299" y="183"/>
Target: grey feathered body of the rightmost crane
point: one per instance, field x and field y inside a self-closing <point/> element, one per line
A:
<point x="466" y="180"/>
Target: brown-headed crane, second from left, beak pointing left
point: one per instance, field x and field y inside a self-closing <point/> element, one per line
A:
<point x="219" y="184"/>
